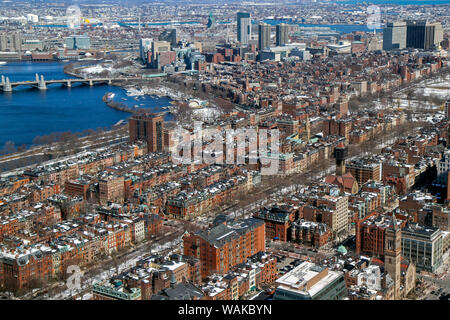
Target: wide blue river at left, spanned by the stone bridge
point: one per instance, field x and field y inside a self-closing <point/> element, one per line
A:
<point x="28" y="112"/>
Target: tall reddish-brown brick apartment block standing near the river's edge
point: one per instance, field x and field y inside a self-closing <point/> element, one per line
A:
<point x="149" y="128"/>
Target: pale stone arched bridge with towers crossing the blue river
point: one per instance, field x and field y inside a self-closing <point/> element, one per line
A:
<point x="7" y="86"/>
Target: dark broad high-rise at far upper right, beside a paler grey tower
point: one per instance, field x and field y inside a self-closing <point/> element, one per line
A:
<point x="421" y="34"/>
